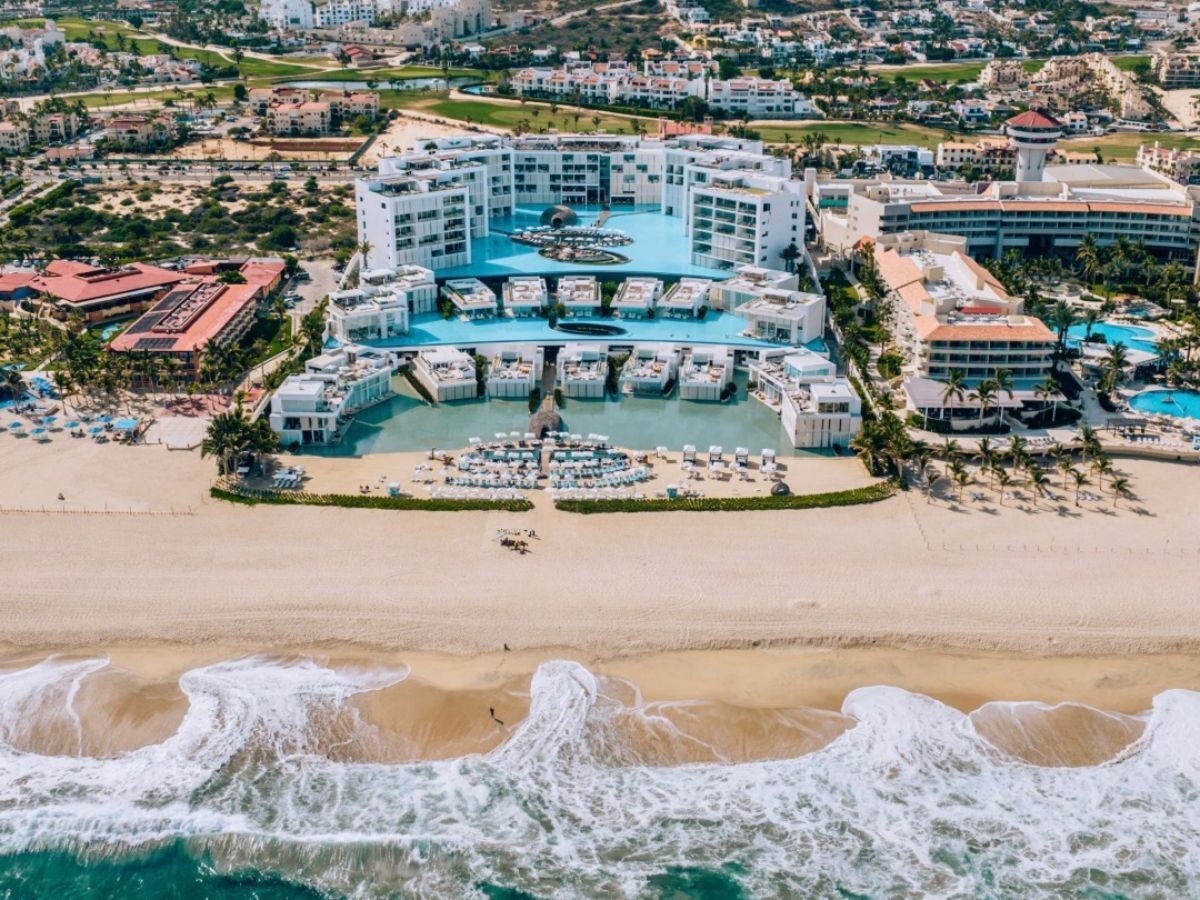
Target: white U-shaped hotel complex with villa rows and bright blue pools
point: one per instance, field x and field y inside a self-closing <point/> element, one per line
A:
<point x="589" y="267"/>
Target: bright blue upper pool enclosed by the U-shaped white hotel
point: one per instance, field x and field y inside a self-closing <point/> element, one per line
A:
<point x="659" y="247"/>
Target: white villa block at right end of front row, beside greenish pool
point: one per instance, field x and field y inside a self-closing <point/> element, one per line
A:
<point x="817" y="407"/>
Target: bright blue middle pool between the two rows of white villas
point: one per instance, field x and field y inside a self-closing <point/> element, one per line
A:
<point x="717" y="328"/>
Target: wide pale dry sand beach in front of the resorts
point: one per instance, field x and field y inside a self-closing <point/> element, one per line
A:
<point x="166" y="563"/>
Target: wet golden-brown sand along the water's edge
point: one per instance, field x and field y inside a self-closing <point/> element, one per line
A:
<point x="661" y="709"/>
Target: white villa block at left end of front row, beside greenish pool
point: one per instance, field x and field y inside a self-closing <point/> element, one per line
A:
<point x="313" y="409"/>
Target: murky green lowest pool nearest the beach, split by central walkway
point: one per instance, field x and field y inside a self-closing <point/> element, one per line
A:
<point x="405" y="423"/>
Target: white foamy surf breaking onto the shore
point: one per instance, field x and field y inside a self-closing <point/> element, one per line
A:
<point x="274" y="769"/>
